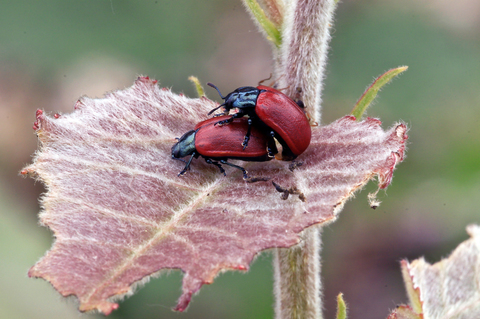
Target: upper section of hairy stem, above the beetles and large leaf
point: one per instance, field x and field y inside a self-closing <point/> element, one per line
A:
<point x="303" y="54"/>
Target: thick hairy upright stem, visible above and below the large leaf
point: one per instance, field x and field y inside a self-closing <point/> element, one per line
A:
<point x="300" y="69"/>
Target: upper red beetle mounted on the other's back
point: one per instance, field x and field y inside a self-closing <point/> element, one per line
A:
<point x="269" y="107"/>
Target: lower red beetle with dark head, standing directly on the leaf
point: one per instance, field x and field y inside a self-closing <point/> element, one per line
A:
<point x="217" y="144"/>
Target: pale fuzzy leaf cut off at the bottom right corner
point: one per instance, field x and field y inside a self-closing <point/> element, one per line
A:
<point x="449" y="288"/>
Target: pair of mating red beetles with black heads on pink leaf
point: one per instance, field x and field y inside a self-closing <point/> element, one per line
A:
<point x="271" y="115"/>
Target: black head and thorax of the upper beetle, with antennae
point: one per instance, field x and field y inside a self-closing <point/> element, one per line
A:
<point x="243" y="97"/>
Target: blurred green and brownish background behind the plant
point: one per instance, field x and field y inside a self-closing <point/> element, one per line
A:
<point x="53" y="51"/>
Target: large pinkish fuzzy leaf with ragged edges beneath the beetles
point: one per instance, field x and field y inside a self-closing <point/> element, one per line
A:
<point x="120" y="213"/>
